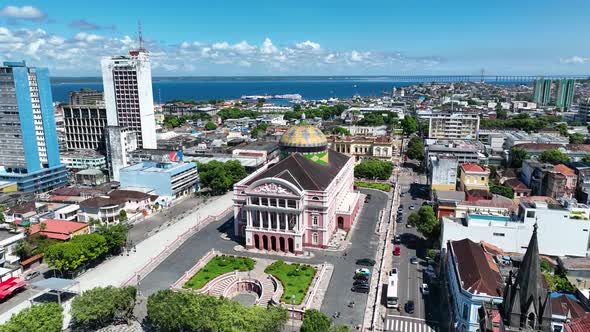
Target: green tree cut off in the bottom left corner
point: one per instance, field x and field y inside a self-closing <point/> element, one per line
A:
<point x="47" y="317"/>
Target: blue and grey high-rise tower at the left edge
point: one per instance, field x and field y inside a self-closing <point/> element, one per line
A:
<point x="29" y="152"/>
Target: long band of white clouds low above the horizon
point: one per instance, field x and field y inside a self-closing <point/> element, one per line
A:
<point x="80" y="53"/>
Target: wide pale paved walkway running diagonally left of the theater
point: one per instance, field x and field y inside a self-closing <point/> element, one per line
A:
<point x="119" y="269"/>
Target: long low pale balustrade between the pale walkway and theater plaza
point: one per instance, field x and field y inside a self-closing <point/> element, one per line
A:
<point x="169" y="249"/>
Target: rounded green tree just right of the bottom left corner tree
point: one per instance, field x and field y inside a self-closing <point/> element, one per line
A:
<point x="99" y="307"/>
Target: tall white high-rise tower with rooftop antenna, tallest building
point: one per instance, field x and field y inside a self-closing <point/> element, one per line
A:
<point x="128" y="96"/>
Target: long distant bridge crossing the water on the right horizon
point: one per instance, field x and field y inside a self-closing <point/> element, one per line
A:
<point x="479" y="78"/>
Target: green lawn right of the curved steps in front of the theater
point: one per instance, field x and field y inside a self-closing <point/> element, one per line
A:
<point x="295" y="278"/>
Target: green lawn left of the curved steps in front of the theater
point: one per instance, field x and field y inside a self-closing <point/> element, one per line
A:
<point x="218" y="266"/>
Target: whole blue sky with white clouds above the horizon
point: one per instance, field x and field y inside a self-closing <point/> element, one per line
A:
<point x="303" y="37"/>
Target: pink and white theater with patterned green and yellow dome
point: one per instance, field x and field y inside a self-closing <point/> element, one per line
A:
<point x="300" y="201"/>
